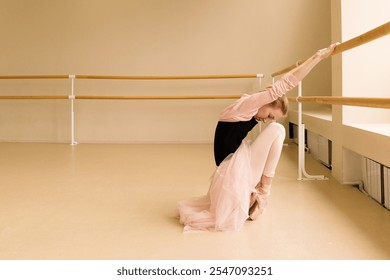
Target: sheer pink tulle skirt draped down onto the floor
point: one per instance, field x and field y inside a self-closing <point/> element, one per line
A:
<point x="225" y="206"/>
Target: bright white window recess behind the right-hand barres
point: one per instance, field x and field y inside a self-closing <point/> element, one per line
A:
<point x="366" y="69"/>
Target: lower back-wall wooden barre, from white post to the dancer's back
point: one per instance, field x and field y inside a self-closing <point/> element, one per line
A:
<point x="157" y="97"/>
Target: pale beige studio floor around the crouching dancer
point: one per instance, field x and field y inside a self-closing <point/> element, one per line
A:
<point x="119" y="202"/>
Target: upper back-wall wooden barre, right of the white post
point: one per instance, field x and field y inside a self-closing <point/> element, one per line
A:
<point x="196" y="77"/>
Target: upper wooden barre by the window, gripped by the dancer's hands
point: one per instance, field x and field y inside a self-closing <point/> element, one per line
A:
<point x="369" y="36"/>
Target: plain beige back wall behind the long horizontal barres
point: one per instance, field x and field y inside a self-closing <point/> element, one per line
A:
<point x="152" y="37"/>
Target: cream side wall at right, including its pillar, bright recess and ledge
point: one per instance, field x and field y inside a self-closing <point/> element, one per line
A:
<point x="360" y="72"/>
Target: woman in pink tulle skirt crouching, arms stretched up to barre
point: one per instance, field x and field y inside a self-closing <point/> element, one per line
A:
<point x="241" y="184"/>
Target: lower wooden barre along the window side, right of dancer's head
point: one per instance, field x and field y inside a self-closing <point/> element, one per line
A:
<point x="350" y="101"/>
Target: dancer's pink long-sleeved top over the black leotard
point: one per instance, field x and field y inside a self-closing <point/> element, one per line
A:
<point x="248" y="105"/>
